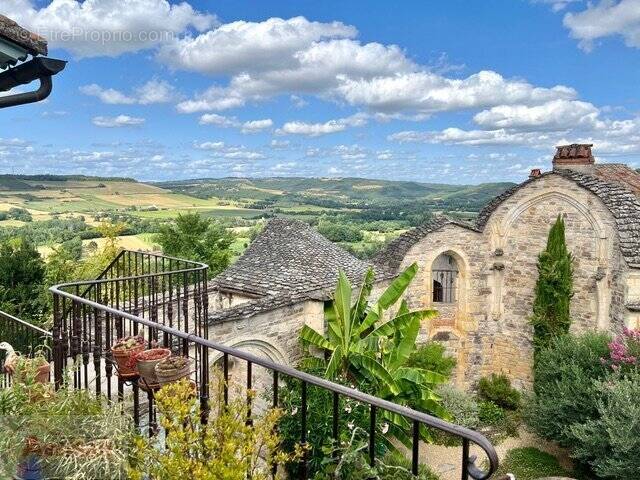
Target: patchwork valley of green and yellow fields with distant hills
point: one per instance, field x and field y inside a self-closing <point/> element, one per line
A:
<point x="366" y="213"/>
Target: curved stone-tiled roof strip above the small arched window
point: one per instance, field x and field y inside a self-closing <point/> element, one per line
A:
<point x="390" y="257"/>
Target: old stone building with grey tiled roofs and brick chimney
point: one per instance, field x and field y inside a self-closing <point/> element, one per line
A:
<point x="479" y="276"/>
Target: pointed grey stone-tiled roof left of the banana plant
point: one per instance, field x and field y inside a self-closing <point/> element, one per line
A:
<point x="289" y="258"/>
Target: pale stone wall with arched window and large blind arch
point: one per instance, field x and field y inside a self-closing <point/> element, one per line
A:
<point x="488" y="327"/>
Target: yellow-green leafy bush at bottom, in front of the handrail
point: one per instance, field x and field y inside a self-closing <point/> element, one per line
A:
<point x="226" y="447"/>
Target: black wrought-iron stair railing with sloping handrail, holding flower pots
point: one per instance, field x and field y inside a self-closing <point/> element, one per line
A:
<point x="166" y="301"/>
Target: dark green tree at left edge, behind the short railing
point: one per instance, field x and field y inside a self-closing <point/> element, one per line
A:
<point x="22" y="272"/>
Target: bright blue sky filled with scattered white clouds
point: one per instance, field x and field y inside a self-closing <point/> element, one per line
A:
<point x="453" y="91"/>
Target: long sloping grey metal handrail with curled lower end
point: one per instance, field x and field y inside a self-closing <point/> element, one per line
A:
<point x="466" y="434"/>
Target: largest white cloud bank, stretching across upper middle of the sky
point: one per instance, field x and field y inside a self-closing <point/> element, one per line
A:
<point x="296" y="57"/>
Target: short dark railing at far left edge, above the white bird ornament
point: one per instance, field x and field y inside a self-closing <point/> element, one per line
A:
<point x="25" y="338"/>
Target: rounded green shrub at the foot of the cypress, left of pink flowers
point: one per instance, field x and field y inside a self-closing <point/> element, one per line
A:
<point x="564" y="388"/>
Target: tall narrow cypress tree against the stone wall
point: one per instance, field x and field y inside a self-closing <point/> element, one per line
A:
<point x="554" y="289"/>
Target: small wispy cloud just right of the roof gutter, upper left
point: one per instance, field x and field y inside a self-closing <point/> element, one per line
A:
<point x="154" y="91"/>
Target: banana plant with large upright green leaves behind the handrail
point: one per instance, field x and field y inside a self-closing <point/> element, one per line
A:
<point x="362" y="346"/>
